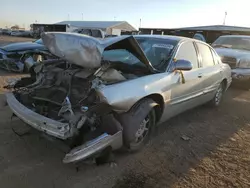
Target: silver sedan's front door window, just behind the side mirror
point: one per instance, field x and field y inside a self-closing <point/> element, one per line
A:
<point x="188" y="52"/>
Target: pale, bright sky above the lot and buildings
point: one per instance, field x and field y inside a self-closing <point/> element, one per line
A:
<point x="156" y="13"/>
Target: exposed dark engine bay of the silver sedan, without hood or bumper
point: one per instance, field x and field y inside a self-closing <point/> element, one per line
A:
<point x="66" y="93"/>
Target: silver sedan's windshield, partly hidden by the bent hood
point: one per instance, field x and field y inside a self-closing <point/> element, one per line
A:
<point x="158" y="52"/>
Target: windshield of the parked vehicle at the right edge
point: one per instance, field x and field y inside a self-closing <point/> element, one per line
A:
<point x="242" y="43"/>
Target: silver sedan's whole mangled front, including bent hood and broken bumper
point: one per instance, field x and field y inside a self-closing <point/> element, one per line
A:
<point x="63" y="97"/>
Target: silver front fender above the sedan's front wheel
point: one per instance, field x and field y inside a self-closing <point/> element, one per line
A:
<point x="122" y="96"/>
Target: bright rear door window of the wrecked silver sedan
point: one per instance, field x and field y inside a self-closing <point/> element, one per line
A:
<point x="206" y="55"/>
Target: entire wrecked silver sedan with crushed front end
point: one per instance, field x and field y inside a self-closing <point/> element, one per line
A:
<point x="111" y="93"/>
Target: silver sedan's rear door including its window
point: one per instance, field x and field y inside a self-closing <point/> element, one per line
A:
<point x="210" y="70"/>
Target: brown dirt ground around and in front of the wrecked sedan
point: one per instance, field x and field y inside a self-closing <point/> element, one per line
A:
<point x="203" y="147"/>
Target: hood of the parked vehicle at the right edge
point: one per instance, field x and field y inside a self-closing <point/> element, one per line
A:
<point x="229" y="52"/>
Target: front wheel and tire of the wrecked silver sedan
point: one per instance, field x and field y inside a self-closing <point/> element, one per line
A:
<point x="138" y="124"/>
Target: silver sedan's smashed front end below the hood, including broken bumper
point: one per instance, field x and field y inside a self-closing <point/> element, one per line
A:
<point x="60" y="99"/>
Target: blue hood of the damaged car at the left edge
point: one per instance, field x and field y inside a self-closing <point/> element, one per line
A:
<point x="22" y="46"/>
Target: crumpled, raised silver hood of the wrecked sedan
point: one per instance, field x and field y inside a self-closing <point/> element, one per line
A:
<point x="87" y="51"/>
